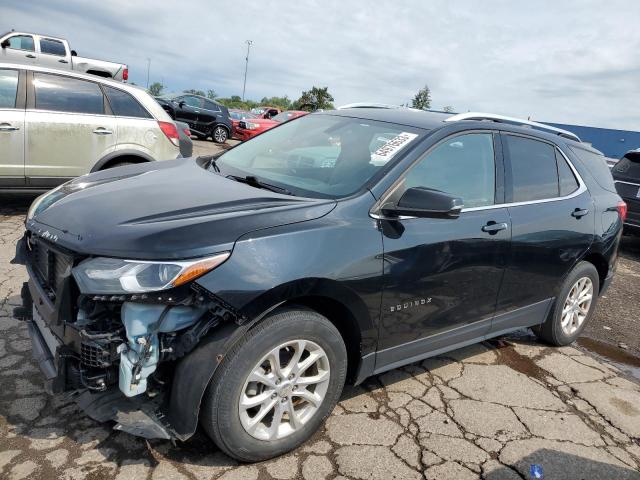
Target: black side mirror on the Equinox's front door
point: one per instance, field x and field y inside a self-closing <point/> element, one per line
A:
<point x="425" y="203"/>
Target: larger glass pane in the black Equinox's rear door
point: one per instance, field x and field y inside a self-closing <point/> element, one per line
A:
<point x="534" y="174"/>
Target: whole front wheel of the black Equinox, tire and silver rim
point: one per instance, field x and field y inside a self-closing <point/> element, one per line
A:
<point x="275" y="386"/>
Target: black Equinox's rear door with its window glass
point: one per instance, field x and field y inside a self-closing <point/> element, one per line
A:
<point x="552" y="217"/>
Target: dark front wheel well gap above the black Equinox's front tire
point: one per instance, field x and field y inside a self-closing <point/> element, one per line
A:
<point x="343" y="320"/>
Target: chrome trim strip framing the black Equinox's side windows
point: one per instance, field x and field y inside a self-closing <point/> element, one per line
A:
<point x="582" y="187"/>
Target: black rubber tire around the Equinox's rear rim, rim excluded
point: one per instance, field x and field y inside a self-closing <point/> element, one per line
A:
<point x="551" y="330"/>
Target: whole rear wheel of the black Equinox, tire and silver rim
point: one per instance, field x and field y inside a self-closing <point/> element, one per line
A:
<point x="573" y="308"/>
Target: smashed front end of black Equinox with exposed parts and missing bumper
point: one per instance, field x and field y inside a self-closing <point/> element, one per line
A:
<point x="119" y="355"/>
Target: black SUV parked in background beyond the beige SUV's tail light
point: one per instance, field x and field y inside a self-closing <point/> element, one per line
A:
<point x="205" y="117"/>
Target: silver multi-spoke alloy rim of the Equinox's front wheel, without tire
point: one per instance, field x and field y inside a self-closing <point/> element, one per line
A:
<point x="284" y="390"/>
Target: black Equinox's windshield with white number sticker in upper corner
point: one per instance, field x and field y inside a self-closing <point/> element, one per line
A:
<point x="319" y="155"/>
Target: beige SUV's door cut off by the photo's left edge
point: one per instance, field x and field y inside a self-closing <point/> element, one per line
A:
<point x="11" y="127"/>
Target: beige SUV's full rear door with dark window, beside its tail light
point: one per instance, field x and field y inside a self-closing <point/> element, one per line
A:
<point x="68" y="128"/>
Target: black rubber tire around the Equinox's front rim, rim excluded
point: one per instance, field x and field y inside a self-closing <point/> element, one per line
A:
<point x="220" y="415"/>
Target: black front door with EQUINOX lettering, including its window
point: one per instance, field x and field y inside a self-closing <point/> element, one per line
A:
<point x="442" y="276"/>
